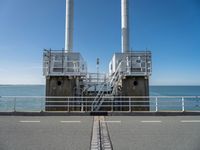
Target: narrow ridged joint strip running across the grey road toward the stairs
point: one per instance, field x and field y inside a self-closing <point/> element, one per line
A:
<point x="100" y="135"/>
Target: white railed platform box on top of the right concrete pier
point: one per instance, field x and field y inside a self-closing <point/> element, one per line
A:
<point x="137" y="63"/>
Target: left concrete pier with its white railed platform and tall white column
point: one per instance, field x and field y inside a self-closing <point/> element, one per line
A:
<point x="64" y="70"/>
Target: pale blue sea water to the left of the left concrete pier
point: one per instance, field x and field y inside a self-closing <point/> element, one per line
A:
<point x="20" y="103"/>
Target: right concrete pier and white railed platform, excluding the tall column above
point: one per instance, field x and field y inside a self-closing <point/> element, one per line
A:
<point x="130" y="75"/>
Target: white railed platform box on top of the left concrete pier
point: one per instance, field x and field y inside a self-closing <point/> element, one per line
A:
<point x="59" y="63"/>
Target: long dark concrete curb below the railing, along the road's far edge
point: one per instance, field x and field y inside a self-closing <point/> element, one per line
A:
<point x="99" y="113"/>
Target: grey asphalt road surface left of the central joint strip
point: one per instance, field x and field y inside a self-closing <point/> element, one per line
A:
<point x="45" y="133"/>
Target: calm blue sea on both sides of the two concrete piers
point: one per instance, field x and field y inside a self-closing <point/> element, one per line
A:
<point x="35" y="104"/>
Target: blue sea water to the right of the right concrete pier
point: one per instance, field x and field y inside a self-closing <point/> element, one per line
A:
<point x="175" y="101"/>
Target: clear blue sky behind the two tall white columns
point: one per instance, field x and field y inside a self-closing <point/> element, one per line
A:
<point x="169" y="28"/>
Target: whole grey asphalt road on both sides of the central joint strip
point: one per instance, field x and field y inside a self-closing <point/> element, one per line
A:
<point x="74" y="133"/>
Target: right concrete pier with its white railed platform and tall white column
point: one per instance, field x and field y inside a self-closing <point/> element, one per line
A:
<point x="130" y="70"/>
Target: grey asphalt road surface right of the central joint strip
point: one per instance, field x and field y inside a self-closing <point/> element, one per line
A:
<point x="155" y="133"/>
